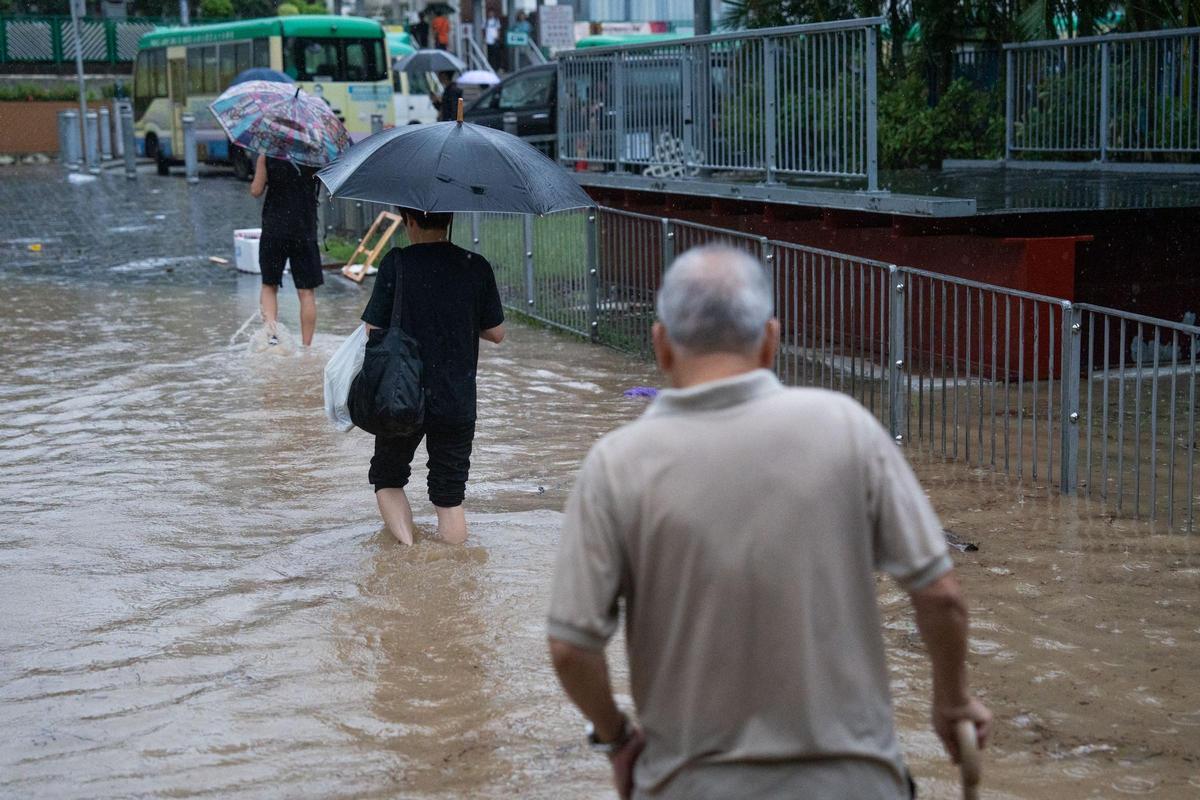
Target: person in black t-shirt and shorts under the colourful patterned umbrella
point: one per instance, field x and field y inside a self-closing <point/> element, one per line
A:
<point x="290" y="236"/>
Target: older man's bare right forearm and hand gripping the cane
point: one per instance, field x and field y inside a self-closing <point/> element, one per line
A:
<point x="943" y="622"/>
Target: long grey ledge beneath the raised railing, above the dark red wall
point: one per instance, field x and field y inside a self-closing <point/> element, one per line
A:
<point x="826" y="199"/>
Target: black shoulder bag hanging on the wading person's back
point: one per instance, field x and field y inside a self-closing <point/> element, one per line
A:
<point x="387" y="398"/>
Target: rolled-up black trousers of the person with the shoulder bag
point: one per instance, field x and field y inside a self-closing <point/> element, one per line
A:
<point x="449" y="448"/>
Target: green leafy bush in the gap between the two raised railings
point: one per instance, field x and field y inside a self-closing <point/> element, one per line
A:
<point x="965" y="124"/>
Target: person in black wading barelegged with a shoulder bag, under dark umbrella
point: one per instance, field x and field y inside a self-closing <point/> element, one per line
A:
<point x="451" y="302"/>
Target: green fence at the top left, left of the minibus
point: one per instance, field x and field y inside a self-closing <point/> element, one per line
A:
<point x="52" y="40"/>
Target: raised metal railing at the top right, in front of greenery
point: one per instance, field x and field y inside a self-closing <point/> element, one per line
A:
<point x="1114" y="95"/>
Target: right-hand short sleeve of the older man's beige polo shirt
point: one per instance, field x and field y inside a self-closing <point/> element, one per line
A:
<point x="908" y="536"/>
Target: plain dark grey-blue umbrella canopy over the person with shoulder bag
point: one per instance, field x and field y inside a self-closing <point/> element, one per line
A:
<point x="454" y="167"/>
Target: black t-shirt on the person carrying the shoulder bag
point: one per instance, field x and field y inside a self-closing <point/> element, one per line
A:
<point x="449" y="296"/>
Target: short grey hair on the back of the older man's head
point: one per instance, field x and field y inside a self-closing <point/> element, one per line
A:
<point x="716" y="299"/>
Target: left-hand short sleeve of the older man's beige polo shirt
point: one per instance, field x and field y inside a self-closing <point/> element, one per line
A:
<point x="590" y="567"/>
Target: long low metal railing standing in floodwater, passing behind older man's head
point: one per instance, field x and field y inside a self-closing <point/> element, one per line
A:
<point x="1089" y="400"/>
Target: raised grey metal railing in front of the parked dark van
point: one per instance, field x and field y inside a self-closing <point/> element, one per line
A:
<point x="797" y="101"/>
